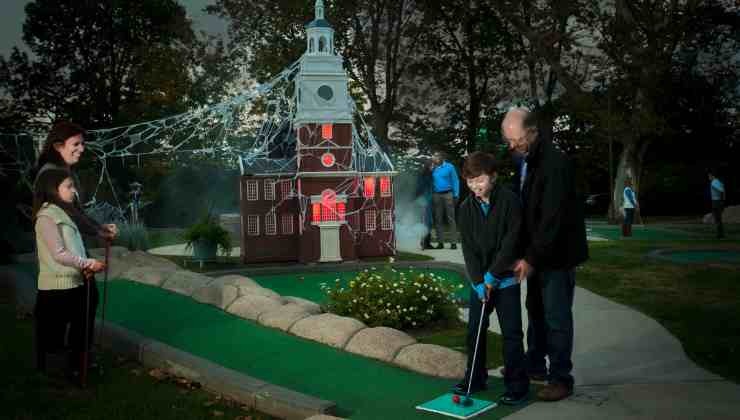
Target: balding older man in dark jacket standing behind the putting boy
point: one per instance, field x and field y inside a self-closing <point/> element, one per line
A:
<point x="554" y="243"/>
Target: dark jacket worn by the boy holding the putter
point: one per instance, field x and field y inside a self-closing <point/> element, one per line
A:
<point x="490" y="243"/>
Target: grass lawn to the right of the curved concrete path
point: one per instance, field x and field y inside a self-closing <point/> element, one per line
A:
<point x="698" y="303"/>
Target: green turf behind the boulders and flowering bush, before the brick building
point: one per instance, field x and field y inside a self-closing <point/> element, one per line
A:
<point x="307" y="285"/>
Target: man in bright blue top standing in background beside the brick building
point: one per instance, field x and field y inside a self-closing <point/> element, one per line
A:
<point x="445" y="192"/>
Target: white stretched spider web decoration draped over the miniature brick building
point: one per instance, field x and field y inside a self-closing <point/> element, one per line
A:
<point x="253" y="130"/>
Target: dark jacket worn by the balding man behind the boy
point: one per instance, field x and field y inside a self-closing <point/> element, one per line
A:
<point x="554" y="230"/>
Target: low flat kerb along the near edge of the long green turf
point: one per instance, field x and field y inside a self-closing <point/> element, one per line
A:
<point x="254" y="393"/>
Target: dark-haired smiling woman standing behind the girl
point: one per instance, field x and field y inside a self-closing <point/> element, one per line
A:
<point x="63" y="149"/>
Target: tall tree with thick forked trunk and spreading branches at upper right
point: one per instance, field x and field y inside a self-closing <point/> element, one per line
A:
<point x="639" y="40"/>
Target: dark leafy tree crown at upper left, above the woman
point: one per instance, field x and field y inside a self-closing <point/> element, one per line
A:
<point x="102" y="63"/>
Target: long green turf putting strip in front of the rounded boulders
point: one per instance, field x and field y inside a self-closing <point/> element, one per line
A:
<point x="363" y="388"/>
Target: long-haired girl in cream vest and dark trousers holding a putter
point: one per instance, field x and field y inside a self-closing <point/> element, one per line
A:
<point x="63" y="267"/>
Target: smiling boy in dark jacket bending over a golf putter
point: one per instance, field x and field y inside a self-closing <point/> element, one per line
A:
<point x="489" y="221"/>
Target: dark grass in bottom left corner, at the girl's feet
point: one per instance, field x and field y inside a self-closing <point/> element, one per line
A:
<point x="125" y="391"/>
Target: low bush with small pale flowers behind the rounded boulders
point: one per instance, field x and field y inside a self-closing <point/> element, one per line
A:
<point x="393" y="298"/>
